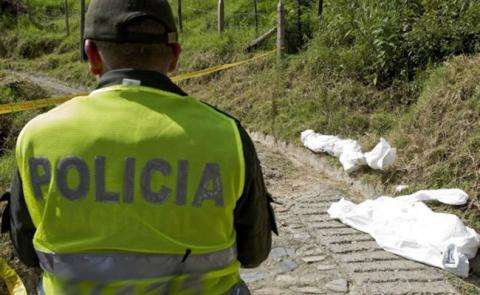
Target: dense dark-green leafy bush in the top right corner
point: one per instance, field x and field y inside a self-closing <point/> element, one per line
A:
<point x="380" y="41"/>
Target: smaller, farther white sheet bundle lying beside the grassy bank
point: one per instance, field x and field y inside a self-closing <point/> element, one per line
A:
<point x="349" y="151"/>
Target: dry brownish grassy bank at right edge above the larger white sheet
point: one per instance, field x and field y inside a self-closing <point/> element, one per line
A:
<point x="439" y="138"/>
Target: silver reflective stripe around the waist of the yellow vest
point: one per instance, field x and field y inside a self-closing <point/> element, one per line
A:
<point x="130" y="266"/>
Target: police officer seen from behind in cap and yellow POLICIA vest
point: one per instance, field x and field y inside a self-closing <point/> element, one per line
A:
<point x="137" y="188"/>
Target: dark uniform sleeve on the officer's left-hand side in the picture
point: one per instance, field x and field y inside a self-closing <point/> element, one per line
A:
<point x="16" y="219"/>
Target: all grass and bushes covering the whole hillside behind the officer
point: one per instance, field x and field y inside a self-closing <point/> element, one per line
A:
<point x="407" y="70"/>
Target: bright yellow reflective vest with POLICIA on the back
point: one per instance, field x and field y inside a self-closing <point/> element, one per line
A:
<point x="132" y="189"/>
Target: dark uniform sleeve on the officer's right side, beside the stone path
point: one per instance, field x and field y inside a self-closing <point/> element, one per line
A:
<point x="254" y="216"/>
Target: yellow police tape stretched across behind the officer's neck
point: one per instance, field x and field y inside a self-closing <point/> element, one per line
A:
<point x="41" y="103"/>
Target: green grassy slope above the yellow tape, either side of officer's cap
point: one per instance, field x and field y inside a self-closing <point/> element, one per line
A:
<point x="37" y="41"/>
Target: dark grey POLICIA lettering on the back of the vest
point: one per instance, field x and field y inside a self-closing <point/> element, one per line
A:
<point x="209" y="187"/>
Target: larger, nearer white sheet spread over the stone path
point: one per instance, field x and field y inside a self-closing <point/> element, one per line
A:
<point x="407" y="227"/>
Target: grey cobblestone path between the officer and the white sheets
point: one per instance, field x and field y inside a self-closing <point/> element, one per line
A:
<point x="317" y="255"/>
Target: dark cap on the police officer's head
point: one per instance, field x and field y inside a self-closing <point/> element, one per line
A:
<point x="110" y="20"/>
